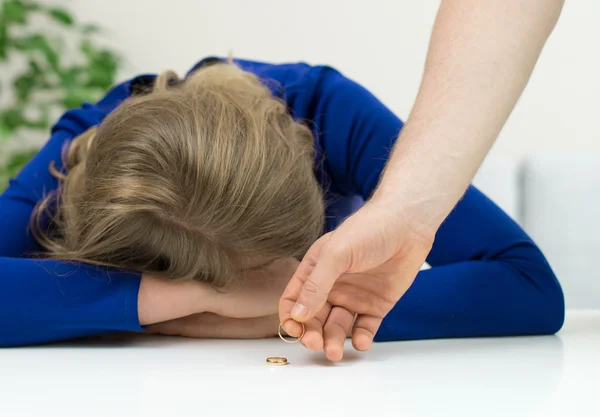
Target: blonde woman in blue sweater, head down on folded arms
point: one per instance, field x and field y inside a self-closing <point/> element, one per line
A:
<point x="179" y="198"/>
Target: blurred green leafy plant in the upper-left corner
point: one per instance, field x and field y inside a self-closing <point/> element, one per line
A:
<point x="47" y="83"/>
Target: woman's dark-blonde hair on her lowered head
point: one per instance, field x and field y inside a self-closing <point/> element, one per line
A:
<point x="187" y="182"/>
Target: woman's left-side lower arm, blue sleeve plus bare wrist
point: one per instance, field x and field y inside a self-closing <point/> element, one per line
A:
<point x="45" y="300"/>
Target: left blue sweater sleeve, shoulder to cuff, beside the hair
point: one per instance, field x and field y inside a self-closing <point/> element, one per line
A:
<point x="44" y="300"/>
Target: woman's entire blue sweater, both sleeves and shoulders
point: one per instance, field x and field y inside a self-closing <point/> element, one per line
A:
<point x="488" y="278"/>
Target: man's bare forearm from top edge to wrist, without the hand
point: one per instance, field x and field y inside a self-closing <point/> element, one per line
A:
<point x="481" y="55"/>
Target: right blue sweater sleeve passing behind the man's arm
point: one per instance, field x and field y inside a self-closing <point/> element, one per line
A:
<point x="488" y="278"/>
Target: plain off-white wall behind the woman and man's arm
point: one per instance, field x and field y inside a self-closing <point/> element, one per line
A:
<point x="381" y="43"/>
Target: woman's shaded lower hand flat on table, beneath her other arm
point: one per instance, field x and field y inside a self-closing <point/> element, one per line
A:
<point x="207" y="325"/>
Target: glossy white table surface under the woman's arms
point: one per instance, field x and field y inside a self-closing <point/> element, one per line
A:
<point x="163" y="376"/>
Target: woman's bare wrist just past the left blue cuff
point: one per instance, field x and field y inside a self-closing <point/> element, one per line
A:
<point x="161" y="300"/>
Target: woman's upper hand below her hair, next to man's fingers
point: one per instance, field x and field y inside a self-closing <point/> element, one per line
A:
<point x="258" y="293"/>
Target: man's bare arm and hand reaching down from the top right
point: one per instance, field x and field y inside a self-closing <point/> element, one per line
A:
<point x="481" y="55"/>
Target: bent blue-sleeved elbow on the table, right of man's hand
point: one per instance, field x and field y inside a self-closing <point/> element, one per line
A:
<point x="488" y="278"/>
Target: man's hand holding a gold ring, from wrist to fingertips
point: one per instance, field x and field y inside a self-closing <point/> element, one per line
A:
<point x="351" y="278"/>
